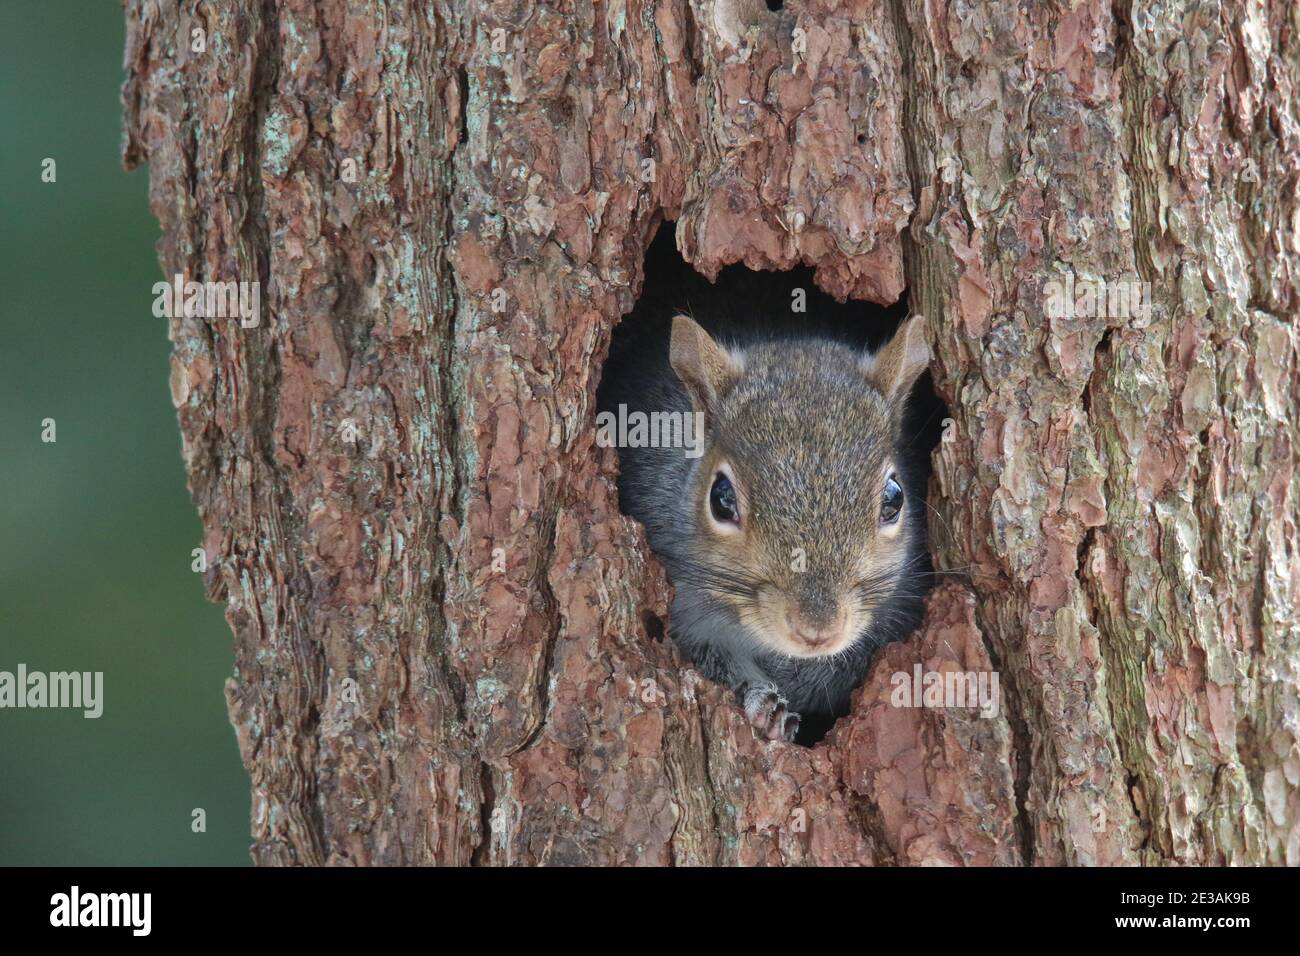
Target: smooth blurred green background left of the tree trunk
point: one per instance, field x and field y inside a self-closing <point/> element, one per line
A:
<point x="97" y="529"/>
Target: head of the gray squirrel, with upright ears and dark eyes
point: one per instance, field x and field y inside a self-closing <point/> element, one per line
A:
<point x="799" y="513"/>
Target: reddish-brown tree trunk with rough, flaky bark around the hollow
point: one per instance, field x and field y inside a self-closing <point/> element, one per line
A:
<point x="449" y="643"/>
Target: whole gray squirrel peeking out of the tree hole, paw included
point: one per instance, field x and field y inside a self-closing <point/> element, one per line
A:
<point x="796" y="538"/>
